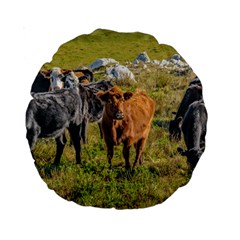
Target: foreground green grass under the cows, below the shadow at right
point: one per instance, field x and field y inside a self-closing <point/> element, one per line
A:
<point x="94" y="184"/>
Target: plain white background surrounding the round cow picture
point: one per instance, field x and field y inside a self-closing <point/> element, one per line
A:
<point x="206" y="34"/>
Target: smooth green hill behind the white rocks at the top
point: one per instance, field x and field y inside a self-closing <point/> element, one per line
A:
<point x="86" y="48"/>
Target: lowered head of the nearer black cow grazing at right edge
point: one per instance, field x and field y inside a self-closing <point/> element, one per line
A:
<point x="193" y="155"/>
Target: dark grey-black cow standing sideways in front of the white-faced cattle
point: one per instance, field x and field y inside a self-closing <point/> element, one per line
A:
<point x="50" y="114"/>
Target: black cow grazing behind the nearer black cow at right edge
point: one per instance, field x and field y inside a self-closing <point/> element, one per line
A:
<point x="193" y="93"/>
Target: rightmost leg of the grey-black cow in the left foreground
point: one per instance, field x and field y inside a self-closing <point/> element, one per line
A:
<point x="75" y="136"/>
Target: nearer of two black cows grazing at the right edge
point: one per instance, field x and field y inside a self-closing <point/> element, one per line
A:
<point x="194" y="128"/>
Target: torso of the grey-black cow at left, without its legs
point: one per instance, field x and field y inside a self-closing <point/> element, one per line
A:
<point x="53" y="111"/>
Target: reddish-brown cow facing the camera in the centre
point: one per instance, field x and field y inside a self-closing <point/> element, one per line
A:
<point x="126" y="119"/>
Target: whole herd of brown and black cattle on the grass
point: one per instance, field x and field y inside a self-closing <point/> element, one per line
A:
<point x="70" y="99"/>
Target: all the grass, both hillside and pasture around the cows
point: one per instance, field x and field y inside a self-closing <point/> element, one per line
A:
<point x="163" y="170"/>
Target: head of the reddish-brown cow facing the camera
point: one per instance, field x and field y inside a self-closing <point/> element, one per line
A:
<point x="113" y="100"/>
